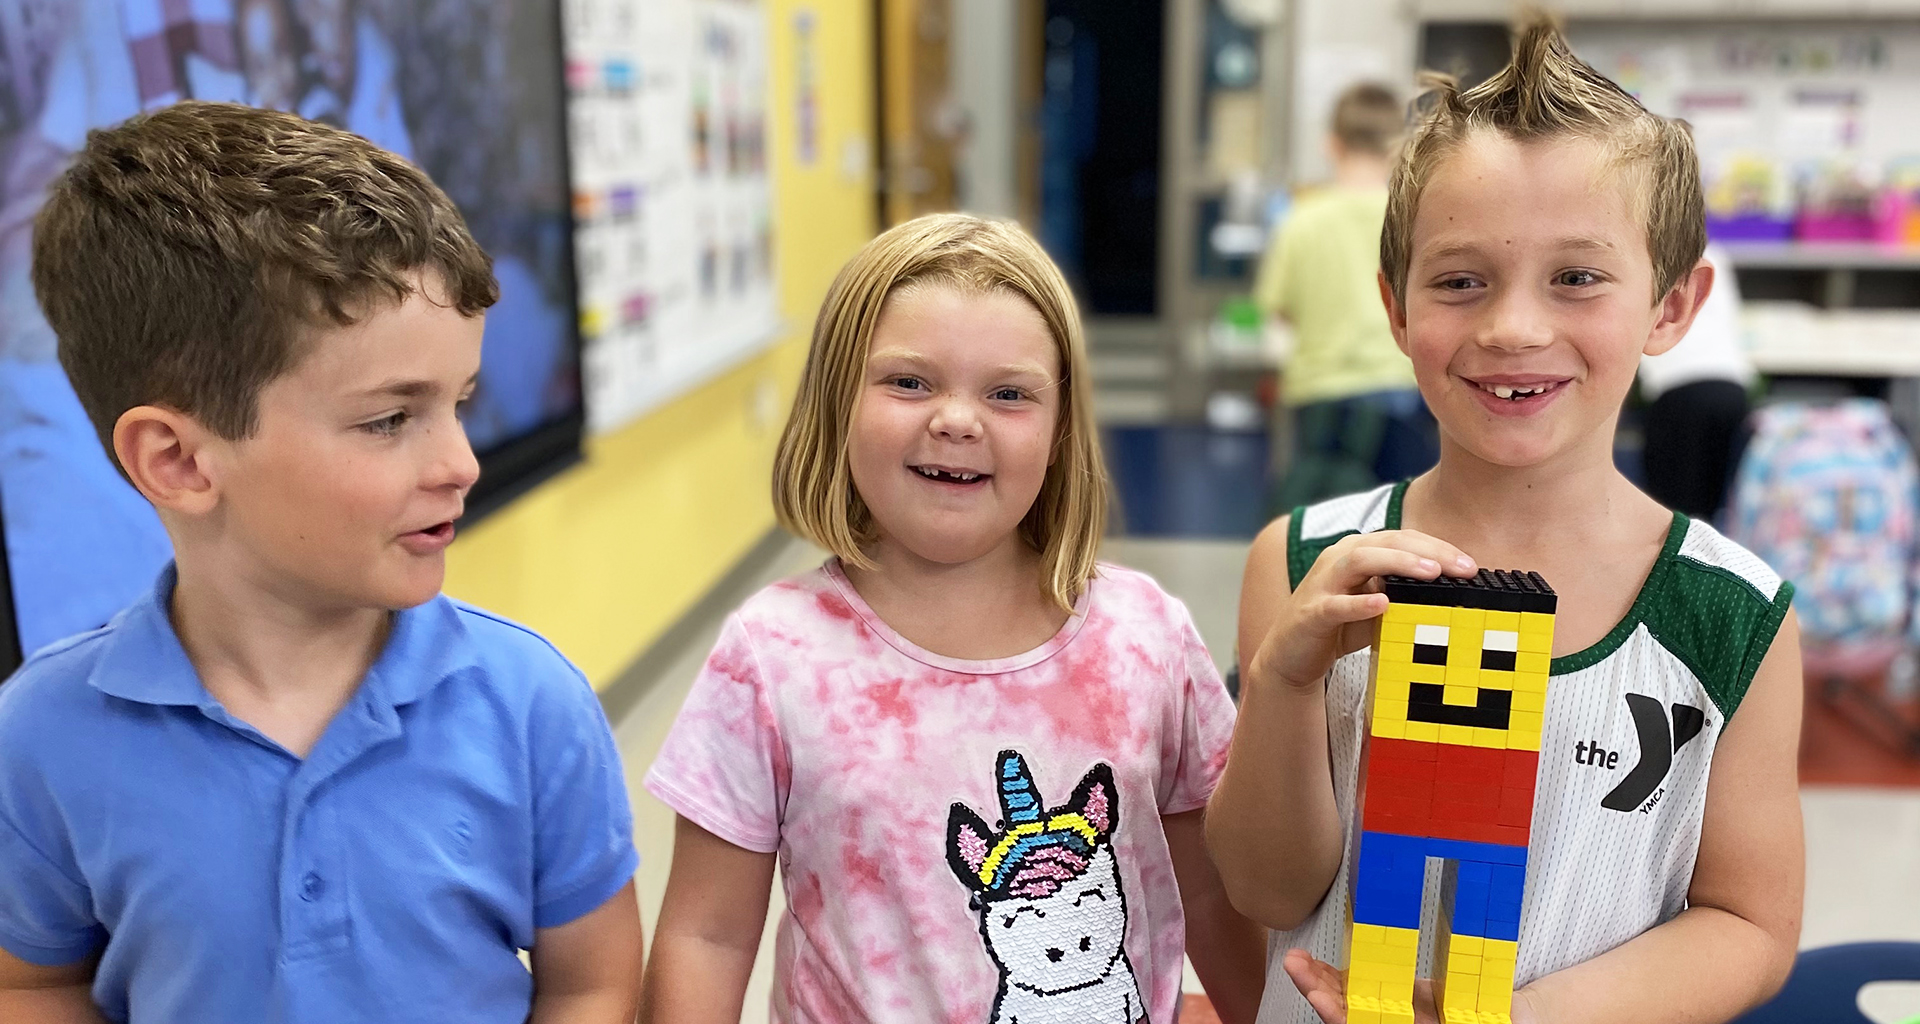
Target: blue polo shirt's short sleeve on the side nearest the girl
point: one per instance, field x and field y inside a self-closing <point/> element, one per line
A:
<point x="583" y="823"/>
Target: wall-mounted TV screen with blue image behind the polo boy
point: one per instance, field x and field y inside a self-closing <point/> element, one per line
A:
<point x="473" y="91"/>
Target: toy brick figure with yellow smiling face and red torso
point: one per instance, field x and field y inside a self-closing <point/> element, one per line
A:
<point x="1460" y="683"/>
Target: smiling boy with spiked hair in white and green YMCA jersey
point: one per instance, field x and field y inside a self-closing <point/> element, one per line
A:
<point x="1543" y="233"/>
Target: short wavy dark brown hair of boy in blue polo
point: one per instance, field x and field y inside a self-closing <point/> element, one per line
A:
<point x="187" y="253"/>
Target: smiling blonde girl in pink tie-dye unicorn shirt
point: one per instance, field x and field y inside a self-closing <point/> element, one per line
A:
<point x="978" y="756"/>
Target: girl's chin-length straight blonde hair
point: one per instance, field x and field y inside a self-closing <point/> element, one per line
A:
<point x="813" y="483"/>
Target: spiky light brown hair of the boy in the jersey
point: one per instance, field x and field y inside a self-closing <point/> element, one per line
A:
<point x="1541" y="95"/>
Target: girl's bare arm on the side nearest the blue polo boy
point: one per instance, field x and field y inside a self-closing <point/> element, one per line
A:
<point x="709" y="931"/>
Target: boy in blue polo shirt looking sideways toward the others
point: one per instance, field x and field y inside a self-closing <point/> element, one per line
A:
<point x="295" y="785"/>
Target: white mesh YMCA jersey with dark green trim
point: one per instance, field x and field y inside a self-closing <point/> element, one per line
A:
<point x="1631" y="727"/>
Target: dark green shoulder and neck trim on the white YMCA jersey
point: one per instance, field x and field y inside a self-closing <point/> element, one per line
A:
<point x="1717" y="623"/>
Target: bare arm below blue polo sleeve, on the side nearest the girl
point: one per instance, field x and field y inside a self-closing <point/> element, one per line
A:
<point x="588" y="969"/>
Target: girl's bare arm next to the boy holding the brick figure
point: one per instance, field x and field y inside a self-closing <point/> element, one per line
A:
<point x="1230" y="954"/>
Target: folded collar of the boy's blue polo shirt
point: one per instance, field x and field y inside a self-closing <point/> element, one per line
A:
<point x="145" y="662"/>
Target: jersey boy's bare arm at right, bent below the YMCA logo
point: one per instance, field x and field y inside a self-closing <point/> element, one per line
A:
<point x="1735" y="944"/>
